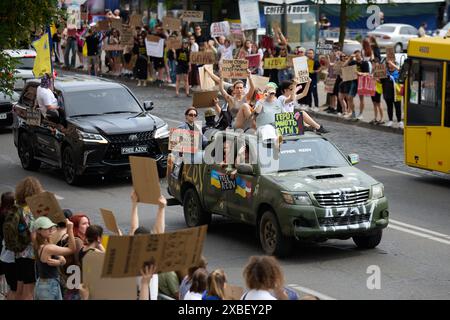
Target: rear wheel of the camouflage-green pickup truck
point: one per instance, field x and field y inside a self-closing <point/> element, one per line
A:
<point x="194" y="214"/>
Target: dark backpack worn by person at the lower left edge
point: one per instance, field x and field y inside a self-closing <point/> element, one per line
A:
<point x="16" y="235"/>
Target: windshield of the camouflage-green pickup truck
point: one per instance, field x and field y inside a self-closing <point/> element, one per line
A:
<point x="304" y="154"/>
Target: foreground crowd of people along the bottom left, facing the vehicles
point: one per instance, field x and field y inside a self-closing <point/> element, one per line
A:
<point x="35" y="255"/>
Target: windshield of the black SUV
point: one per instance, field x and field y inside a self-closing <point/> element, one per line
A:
<point x="100" y="101"/>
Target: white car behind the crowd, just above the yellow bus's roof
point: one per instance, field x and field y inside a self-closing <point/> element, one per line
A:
<point x="395" y="35"/>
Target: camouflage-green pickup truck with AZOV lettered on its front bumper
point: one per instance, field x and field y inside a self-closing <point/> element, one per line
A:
<point x="303" y="188"/>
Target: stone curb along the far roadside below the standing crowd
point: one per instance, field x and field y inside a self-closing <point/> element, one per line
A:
<point x="317" y="115"/>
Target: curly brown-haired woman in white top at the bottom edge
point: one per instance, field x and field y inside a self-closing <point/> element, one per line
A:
<point x="264" y="279"/>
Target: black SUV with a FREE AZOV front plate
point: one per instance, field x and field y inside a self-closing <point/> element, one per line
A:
<point x="98" y="125"/>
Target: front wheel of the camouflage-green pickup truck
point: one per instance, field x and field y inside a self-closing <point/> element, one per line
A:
<point x="272" y="240"/>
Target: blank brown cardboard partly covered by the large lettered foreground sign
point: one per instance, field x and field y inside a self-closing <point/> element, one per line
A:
<point x="105" y="289"/>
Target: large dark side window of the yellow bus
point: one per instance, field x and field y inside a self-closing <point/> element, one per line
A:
<point x="424" y="92"/>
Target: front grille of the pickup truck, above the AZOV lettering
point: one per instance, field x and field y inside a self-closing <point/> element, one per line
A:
<point x="342" y="199"/>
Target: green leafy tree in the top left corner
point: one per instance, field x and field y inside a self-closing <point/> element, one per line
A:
<point x="20" y="20"/>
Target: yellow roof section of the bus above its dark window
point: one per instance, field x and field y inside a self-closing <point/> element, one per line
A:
<point x="430" y="48"/>
